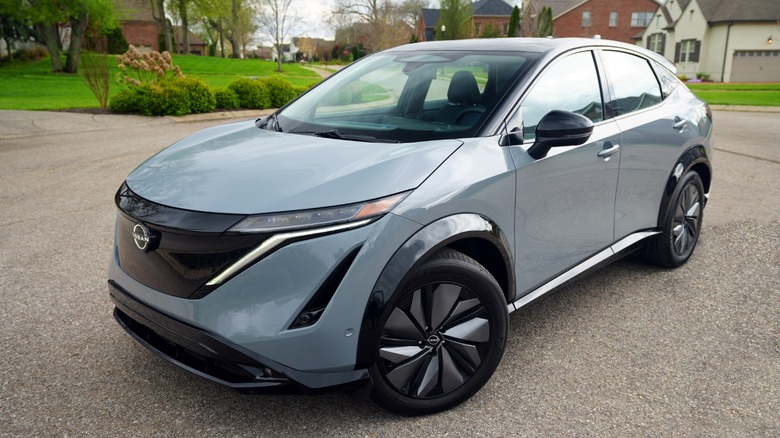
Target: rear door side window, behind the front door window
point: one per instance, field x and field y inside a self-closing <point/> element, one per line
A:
<point x="634" y="85"/>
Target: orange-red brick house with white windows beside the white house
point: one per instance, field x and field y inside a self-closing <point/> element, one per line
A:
<point x="623" y="20"/>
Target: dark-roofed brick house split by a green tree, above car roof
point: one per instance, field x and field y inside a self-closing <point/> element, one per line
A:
<point x="487" y="13"/>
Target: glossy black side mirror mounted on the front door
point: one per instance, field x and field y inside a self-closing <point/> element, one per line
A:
<point x="560" y="128"/>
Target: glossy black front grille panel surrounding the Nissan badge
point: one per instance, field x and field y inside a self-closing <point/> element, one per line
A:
<point x="176" y="262"/>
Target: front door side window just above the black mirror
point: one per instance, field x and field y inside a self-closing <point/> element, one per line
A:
<point x="571" y="84"/>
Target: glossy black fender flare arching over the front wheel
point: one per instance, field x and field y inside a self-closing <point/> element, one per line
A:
<point x="415" y="251"/>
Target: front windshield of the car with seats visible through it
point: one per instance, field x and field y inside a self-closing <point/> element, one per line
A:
<point x="406" y="97"/>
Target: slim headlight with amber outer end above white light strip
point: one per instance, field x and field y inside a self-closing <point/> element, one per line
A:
<point x="273" y="223"/>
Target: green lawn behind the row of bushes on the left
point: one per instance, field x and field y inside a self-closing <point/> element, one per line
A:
<point x="32" y="86"/>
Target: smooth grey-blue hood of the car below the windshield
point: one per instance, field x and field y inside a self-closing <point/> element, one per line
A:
<point x="240" y="169"/>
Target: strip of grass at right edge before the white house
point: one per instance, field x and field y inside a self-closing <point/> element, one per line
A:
<point x="737" y="94"/>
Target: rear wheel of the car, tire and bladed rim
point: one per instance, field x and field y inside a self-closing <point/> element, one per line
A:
<point x="682" y="224"/>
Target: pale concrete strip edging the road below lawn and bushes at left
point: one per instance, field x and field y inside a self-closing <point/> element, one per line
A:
<point x="15" y="124"/>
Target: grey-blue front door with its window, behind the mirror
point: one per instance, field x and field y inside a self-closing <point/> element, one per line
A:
<point x="564" y="211"/>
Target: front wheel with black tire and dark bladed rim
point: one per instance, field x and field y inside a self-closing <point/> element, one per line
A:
<point x="442" y="336"/>
